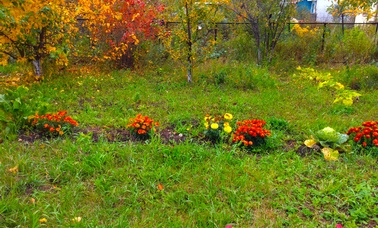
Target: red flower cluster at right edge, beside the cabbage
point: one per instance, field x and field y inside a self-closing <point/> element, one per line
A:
<point x="368" y="135"/>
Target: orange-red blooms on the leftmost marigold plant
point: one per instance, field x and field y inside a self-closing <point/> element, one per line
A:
<point x="53" y="122"/>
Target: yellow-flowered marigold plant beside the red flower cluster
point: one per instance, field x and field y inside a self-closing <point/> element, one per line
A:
<point x="217" y="127"/>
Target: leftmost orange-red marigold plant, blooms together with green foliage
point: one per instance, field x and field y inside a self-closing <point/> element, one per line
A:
<point x="53" y="125"/>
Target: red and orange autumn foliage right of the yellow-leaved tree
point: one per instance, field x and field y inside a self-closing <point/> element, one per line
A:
<point x="118" y="25"/>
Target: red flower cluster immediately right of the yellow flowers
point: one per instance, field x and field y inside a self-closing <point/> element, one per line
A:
<point x="250" y="132"/>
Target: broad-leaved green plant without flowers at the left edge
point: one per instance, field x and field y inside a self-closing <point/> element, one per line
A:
<point x="15" y="109"/>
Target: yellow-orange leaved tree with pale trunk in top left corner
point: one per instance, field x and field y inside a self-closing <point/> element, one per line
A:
<point x="32" y="30"/>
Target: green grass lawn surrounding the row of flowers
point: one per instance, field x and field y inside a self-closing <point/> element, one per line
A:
<point x="124" y="183"/>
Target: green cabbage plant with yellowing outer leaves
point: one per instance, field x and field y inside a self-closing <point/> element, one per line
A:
<point x="329" y="141"/>
